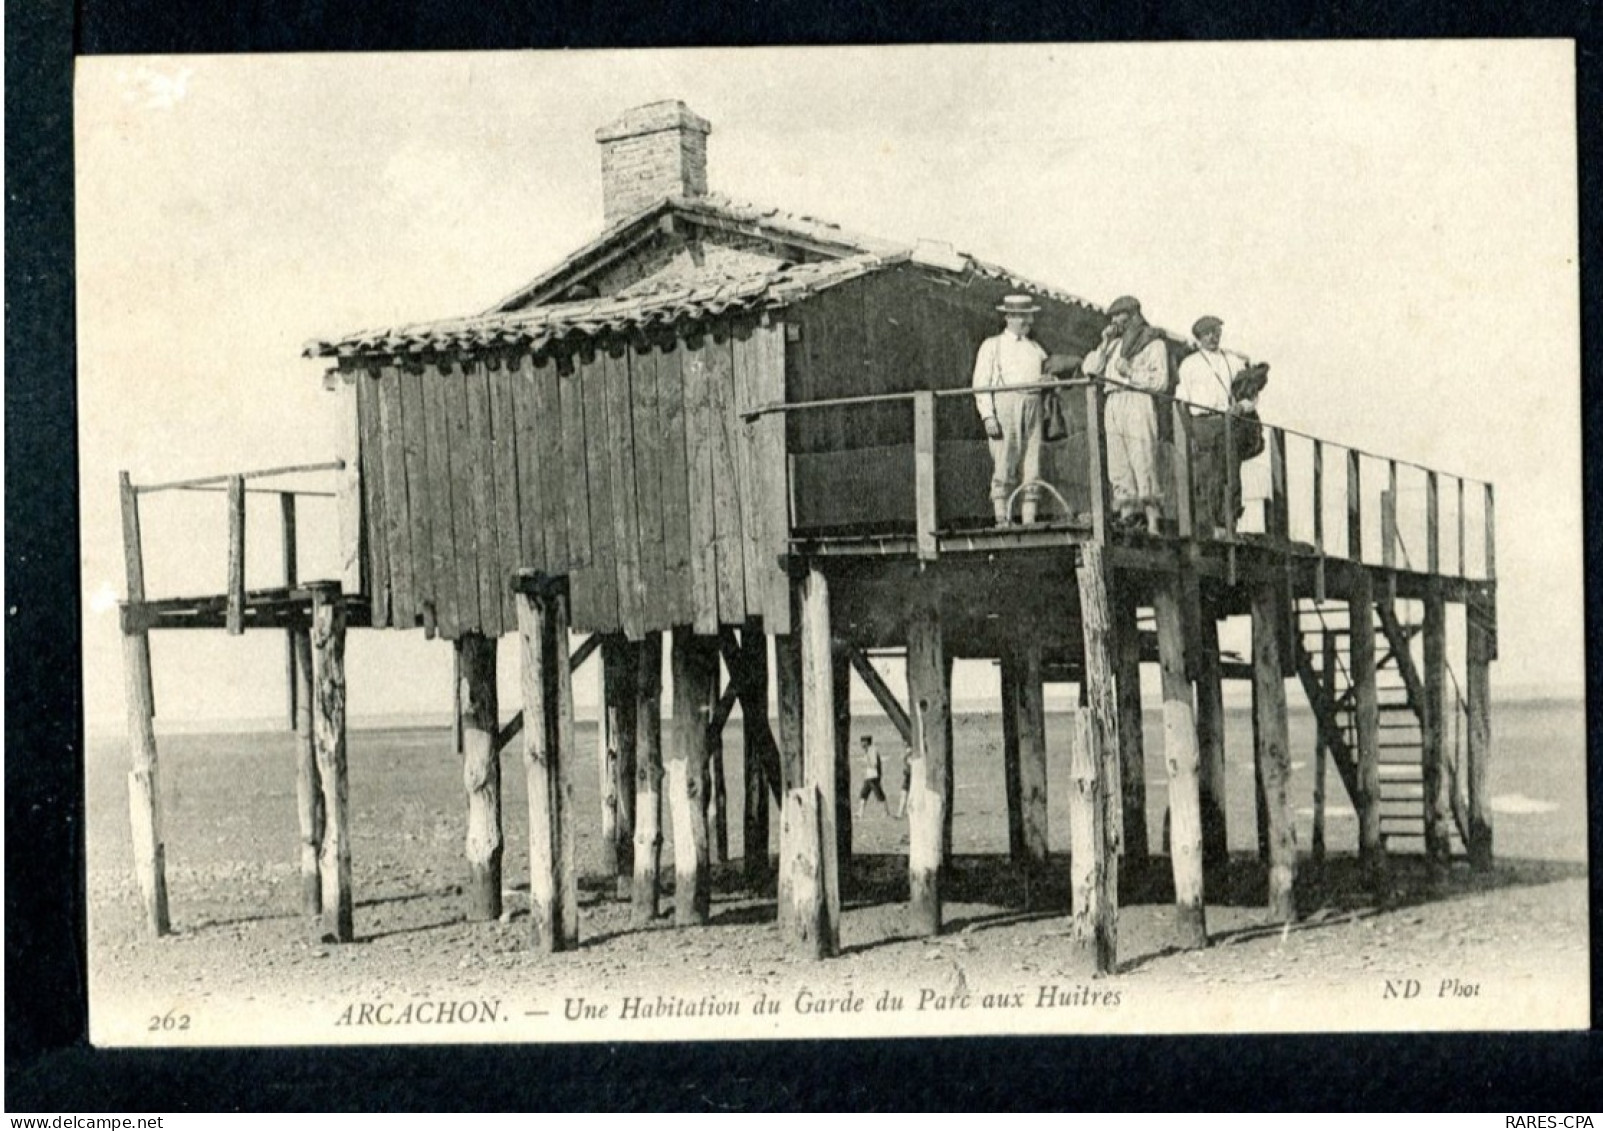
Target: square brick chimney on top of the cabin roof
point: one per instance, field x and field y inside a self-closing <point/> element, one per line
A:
<point x="653" y="151"/>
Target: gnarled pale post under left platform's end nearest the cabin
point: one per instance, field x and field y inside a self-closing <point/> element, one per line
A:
<point x="328" y="643"/>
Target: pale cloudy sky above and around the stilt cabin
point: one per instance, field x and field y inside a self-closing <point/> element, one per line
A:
<point x="1391" y="225"/>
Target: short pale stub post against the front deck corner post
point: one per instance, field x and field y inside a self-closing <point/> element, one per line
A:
<point x="1096" y="917"/>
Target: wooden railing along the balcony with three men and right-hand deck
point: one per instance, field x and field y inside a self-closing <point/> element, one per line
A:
<point x="1339" y="501"/>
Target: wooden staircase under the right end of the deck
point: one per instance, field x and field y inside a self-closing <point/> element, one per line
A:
<point x="1323" y="653"/>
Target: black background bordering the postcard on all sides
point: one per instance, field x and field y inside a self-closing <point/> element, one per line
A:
<point x="50" y="1066"/>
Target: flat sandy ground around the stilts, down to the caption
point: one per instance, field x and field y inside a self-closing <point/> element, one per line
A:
<point x="1500" y="951"/>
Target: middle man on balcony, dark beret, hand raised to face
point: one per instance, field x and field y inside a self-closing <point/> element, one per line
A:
<point x="1136" y="360"/>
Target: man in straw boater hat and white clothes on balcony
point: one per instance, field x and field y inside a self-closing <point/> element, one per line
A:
<point x="1012" y="419"/>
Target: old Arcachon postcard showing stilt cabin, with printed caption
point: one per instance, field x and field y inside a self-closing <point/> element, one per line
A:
<point x="769" y="544"/>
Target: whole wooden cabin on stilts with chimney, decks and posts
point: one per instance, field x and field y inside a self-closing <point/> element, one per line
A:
<point x="729" y="424"/>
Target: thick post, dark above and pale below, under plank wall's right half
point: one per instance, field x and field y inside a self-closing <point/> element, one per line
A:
<point x="695" y="670"/>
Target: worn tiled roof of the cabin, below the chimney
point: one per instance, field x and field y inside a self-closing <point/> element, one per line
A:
<point x="695" y="299"/>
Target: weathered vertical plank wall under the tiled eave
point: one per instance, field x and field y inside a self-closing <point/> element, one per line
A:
<point x="628" y="469"/>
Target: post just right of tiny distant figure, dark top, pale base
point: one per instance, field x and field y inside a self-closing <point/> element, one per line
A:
<point x="929" y="698"/>
